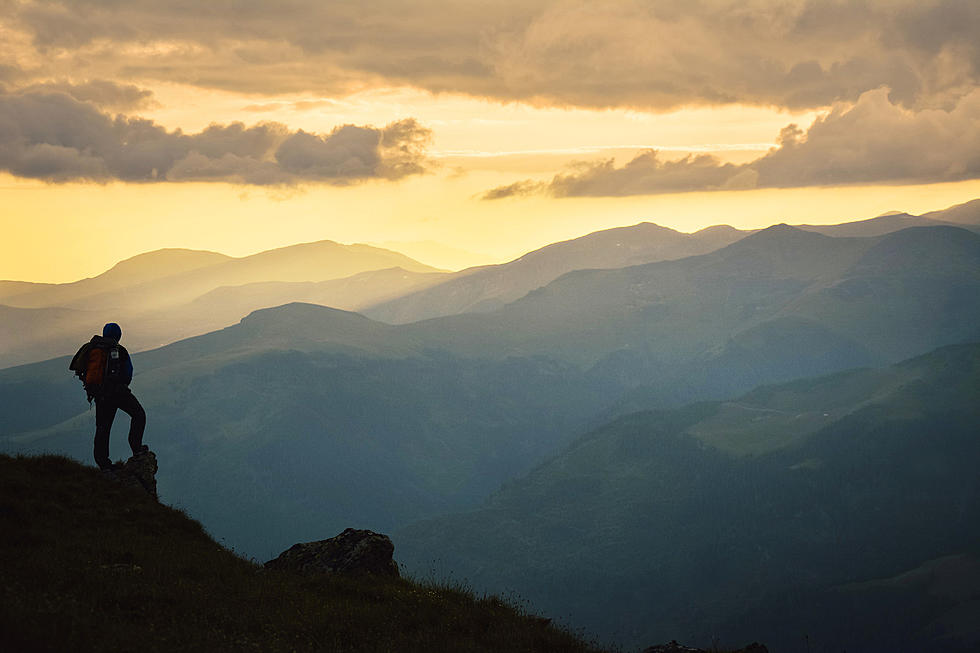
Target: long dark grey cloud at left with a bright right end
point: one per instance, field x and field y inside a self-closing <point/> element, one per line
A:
<point x="53" y="136"/>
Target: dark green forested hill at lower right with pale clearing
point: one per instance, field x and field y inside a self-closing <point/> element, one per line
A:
<point x="843" y="508"/>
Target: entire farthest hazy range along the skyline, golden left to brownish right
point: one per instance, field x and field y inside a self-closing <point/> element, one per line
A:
<point x="170" y="294"/>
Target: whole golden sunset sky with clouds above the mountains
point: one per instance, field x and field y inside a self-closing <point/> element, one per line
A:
<point x="465" y="132"/>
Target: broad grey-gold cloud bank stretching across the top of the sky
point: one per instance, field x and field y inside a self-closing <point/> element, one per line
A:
<point x="654" y="55"/>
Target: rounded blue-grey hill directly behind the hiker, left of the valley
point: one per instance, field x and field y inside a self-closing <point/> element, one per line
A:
<point x="306" y="401"/>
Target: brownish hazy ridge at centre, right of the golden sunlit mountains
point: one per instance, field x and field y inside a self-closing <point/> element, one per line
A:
<point x="483" y="289"/>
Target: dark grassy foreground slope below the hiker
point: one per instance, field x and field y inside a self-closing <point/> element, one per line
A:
<point x="87" y="565"/>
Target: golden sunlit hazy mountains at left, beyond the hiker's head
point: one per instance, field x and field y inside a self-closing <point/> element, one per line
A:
<point x="168" y="295"/>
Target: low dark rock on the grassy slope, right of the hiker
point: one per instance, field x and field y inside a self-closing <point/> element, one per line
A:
<point x="352" y="552"/>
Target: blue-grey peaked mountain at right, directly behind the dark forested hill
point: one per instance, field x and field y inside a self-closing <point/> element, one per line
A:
<point x="678" y="324"/>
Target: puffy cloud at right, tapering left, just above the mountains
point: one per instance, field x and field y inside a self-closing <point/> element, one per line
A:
<point x="871" y="141"/>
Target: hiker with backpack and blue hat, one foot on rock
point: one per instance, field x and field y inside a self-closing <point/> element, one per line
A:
<point x="105" y="368"/>
